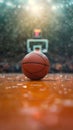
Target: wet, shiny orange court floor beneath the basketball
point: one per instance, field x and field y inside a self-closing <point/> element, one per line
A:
<point x="36" y="105"/>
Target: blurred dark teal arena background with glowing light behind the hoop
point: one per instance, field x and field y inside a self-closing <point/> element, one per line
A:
<point x="18" y="19"/>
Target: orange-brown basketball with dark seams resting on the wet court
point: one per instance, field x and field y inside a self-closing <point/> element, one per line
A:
<point x="35" y="65"/>
